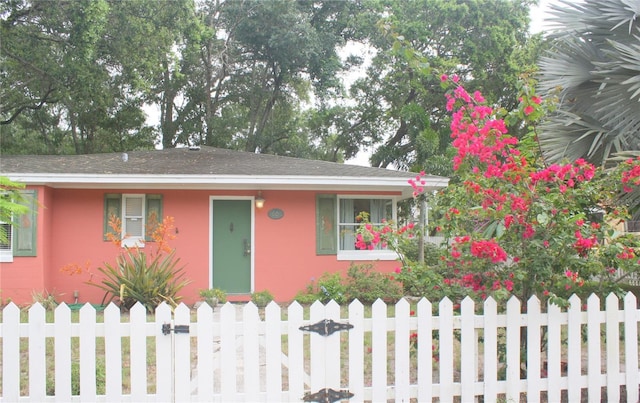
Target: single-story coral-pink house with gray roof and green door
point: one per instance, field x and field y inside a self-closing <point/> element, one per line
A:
<point x="244" y="222"/>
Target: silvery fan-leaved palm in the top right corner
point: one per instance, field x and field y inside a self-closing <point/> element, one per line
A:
<point x="594" y="69"/>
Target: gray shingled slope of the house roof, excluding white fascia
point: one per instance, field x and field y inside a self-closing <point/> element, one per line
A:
<point x="184" y="161"/>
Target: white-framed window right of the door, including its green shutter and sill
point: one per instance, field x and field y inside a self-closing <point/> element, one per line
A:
<point x="338" y="218"/>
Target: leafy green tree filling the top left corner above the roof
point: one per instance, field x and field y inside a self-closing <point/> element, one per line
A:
<point x="79" y="72"/>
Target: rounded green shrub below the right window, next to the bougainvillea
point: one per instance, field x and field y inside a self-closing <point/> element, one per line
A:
<point x="367" y="285"/>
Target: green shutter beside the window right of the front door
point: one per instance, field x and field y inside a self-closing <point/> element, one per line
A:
<point x="326" y="224"/>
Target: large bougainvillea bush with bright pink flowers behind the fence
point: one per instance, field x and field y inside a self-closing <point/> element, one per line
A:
<point x="515" y="226"/>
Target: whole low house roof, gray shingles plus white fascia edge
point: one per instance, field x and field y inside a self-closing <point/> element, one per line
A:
<point x="202" y="168"/>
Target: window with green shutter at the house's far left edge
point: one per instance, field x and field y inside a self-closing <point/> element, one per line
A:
<point x="21" y="232"/>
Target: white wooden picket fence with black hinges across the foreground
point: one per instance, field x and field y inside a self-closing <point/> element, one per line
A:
<point x="234" y="355"/>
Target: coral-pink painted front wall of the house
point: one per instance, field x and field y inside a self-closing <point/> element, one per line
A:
<point x="70" y="237"/>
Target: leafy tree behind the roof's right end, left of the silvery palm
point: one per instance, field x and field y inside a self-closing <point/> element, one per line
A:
<point x="399" y="101"/>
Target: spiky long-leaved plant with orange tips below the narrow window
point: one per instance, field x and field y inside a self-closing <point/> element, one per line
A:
<point x="136" y="277"/>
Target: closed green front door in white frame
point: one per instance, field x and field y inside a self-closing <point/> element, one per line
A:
<point x="232" y="245"/>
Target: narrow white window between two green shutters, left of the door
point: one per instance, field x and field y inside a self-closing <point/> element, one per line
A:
<point x="138" y="216"/>
